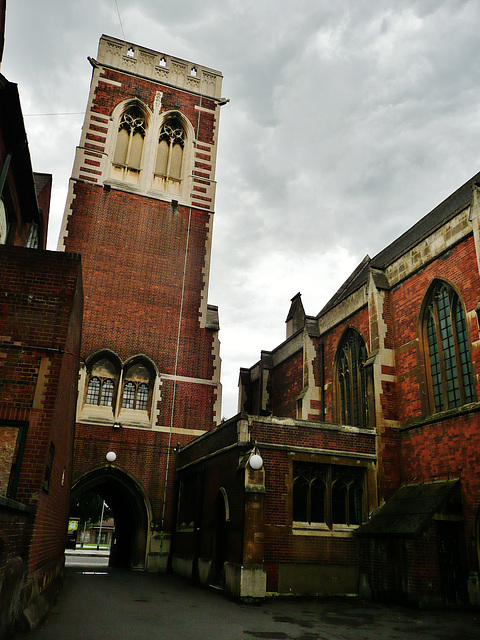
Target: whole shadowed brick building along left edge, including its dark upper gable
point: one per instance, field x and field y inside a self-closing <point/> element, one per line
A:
<point x="40" y="325"/>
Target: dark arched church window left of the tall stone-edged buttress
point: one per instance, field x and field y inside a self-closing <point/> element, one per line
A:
<point x="352" y="383"/>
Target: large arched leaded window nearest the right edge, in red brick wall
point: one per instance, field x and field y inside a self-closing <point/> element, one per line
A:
<point x="448" y="362"/>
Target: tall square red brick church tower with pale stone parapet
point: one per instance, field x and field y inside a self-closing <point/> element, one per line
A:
<point x="140" y="211"/>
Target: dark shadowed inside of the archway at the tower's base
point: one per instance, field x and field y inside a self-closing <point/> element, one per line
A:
<point x="131" y="510"/>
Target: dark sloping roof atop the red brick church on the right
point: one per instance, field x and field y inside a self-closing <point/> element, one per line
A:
<point x="447" y="209"/>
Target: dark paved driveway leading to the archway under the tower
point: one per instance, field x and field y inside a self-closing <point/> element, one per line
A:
<point x="111" y="604"/>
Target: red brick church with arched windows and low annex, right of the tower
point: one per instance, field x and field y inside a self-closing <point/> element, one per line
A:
<point x="374" y="401"/>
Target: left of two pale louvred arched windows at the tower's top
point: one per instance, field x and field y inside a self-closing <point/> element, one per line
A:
<point x="129" y="147"/>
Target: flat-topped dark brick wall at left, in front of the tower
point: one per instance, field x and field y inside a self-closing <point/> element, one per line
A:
<point x="40" y="327"/>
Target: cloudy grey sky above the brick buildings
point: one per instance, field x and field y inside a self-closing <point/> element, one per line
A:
<point x="347" y="122"/>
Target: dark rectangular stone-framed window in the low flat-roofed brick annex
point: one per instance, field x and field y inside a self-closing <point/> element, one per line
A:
<point x="329" y="494"/>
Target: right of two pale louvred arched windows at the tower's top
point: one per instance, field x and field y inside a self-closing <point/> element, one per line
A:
<point x="171" y="144"/>
